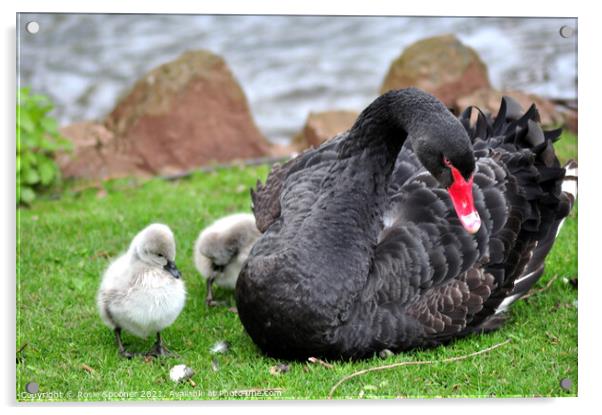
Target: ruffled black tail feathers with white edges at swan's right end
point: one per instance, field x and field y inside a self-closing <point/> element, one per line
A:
<point x="547" y="194"/>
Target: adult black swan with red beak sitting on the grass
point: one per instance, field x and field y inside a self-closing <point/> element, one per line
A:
<point x="374" y="242"/>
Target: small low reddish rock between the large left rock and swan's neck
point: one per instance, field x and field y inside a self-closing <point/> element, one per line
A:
<point x="321" y="126"/>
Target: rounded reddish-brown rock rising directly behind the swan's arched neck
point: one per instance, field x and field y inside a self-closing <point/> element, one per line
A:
<point x="441" y="65"/>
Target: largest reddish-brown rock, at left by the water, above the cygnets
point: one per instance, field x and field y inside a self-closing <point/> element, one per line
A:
<point x="181" y="115"/>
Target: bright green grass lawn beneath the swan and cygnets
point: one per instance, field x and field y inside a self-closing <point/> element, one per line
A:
<point x="66" y="244"/>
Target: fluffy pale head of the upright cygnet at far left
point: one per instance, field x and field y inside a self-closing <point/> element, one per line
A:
<point x="155" y="246"/>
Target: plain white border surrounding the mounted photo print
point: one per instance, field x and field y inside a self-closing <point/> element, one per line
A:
<point x="590" y="108"/>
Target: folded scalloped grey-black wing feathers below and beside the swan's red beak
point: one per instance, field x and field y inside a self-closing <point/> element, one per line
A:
<point x="448" y="285"/>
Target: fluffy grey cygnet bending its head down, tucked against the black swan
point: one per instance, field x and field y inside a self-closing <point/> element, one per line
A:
<point x="222" y="248"/>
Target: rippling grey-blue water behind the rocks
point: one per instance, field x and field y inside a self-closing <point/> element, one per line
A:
<point x="287" y="65"/>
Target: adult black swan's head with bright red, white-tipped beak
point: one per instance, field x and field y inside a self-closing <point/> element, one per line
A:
<point x="447" y="154"/>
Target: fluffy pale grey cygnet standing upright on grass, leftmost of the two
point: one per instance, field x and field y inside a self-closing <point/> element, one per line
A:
<point x="142" y="291"/>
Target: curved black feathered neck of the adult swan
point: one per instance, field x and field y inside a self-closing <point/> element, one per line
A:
<point x="347" y="218"/>
